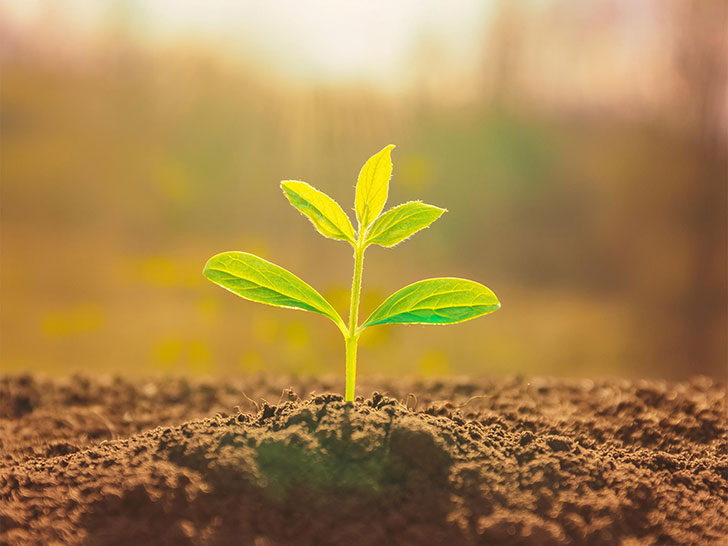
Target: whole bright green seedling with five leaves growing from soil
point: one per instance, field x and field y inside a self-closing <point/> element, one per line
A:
<point x="432" y="301"/>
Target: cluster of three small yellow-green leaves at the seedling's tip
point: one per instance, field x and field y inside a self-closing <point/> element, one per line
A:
<point x="389" y="229"/>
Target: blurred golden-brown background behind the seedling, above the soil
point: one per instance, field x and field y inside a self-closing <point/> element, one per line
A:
<point x="580" y="147"/>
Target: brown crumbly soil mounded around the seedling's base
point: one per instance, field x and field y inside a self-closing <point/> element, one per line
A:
<point x="104" y="461"/>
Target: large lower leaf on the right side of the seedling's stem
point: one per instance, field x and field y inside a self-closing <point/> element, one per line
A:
<point x="435" y="301"/>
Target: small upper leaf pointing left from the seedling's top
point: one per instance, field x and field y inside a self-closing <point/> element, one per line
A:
<point x="325" y="214"/>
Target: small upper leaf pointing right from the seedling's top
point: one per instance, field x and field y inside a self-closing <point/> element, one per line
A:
<point x="401" y="222"/>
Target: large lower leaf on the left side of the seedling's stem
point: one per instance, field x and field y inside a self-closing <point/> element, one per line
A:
<point x="256" y="279"/>
